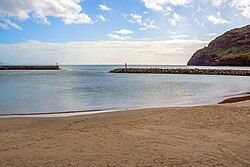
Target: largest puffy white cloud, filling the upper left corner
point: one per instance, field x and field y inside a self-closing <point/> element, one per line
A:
<point x="70" y="11"/>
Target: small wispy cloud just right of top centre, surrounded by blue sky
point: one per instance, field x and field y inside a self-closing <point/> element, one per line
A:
<point x="147" y="23"/>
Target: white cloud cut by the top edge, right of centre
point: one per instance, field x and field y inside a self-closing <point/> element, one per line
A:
<point x="164" y="5"/>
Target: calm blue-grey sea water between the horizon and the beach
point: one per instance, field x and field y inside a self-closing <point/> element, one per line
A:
<point x="93" y="88"/>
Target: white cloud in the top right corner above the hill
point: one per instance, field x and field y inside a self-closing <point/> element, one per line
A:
<point x="243" y="6"/>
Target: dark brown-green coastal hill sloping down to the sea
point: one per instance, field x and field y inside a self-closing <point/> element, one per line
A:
<point x="230" y="49"/>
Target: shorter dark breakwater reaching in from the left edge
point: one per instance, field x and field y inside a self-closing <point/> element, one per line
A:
<point x="31" y="67"/>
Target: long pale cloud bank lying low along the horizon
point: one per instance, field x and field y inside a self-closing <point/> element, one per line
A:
<point x="103" y="52"/>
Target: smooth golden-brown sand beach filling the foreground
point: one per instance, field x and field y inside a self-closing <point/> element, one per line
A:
<point x="216" y="135"/>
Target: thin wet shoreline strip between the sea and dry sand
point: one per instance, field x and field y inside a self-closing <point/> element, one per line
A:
<point x="228" y="99"/>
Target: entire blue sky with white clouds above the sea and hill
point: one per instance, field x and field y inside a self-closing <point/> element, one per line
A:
<point x="113" y="31"/>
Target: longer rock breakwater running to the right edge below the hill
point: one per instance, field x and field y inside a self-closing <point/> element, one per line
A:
<point x="182" y="71"/>
